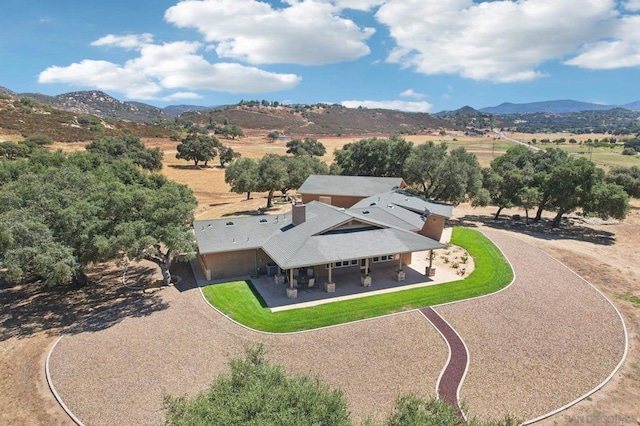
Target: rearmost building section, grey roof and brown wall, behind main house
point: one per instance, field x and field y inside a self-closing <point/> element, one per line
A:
<point x="345" y="191"/>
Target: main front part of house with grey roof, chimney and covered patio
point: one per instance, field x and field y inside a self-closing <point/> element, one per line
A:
<point x="314" y="240"/>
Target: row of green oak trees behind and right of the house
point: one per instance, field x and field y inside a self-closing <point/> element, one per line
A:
<point x="549" y="180"/>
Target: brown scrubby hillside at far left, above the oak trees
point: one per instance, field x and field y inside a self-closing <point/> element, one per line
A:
<point x="25" y="115"/>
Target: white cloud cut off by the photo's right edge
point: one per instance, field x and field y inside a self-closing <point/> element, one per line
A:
<point x="622" y="51"/>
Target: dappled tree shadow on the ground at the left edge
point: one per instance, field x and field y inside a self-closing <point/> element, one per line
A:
<point x="29" y="308"/>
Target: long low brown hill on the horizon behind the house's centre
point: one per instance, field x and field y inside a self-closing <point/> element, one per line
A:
<point x="320" y="119"/>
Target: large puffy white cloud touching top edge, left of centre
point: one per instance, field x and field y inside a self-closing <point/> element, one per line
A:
<point x="307" y="32"/>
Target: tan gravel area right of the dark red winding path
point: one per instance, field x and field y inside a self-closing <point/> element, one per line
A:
<point x="538" y="345"/>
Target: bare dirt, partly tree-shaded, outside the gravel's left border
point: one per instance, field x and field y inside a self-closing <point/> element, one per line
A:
<point x="31" y="320"/>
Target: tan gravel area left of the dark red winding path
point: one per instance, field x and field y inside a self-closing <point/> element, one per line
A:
<point x="116" y="375"/>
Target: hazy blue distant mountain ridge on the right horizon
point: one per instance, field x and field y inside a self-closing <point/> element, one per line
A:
<point x="554" y="107"/>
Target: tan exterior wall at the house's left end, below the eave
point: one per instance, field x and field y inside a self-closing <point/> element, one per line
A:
<point x="233" y="263"/>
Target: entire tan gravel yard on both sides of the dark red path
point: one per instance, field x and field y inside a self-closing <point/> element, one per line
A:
<point x="542" y="342"/>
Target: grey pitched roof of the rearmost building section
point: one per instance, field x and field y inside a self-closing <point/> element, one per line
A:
<point x="359" y="186"/>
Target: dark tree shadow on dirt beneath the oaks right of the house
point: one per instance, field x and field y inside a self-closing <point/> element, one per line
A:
<point x="569" y="229"/>
